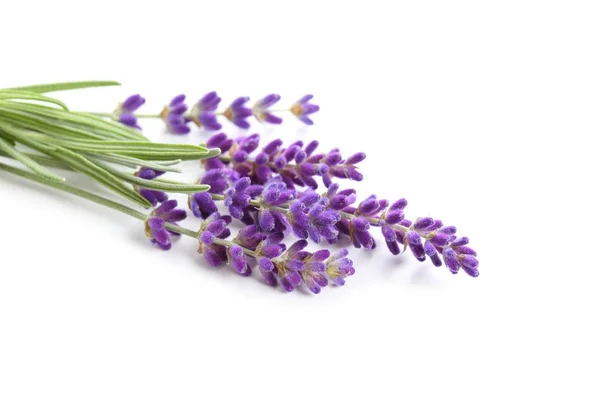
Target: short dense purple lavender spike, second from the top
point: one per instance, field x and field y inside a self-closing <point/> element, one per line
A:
<point x="297" y="165"/>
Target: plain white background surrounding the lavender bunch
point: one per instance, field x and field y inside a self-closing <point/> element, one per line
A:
<point x="481" y="113"/>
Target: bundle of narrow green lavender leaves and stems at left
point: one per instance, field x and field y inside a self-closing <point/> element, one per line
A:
<point x="41" y="133"/>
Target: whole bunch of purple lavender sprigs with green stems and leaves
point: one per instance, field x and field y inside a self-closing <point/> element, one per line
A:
<point x="272" y="191"/>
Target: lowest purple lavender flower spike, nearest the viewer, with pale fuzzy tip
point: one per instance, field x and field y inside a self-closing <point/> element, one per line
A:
<point x="290" y="267"/>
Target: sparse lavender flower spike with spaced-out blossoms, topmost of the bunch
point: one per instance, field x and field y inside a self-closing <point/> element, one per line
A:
<point x="204" y="112"/>
